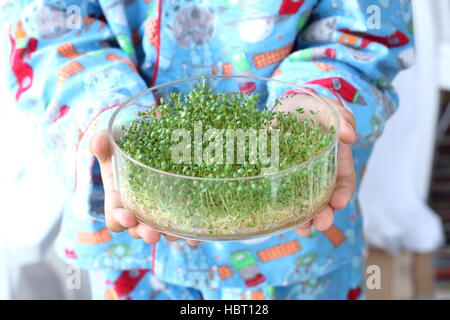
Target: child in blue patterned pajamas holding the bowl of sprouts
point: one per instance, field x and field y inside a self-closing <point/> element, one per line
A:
<point x="73" y="61"/>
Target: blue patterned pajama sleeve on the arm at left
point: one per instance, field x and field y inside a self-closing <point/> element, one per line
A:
<point x="69" y="69"/>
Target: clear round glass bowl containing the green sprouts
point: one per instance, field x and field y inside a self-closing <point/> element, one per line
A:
<point x="226" y="208"/>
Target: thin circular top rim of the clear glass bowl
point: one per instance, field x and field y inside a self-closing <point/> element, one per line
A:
<point x="124" y="105"/>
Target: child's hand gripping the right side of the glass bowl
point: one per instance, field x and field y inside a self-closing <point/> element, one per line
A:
<point x="346" y="177"/>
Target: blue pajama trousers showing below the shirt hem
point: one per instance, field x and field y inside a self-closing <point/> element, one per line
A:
<point x="347" y="282"/>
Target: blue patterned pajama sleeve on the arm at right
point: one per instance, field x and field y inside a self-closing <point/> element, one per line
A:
<point x="351" y="50"/>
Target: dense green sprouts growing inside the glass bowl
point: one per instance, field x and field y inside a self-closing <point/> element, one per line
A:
<point x="224" y="206"/>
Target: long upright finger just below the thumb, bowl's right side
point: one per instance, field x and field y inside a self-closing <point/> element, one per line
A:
<point x="346" y="179"/>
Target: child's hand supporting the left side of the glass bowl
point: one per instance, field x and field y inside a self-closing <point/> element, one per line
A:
<point x="117" y="217"/>
